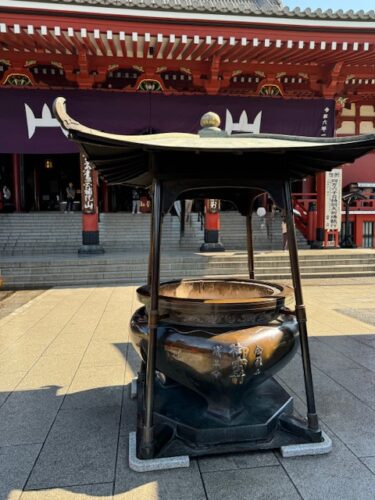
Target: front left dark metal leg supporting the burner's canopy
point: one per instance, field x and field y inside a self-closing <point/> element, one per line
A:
<point x="147" y="440"/>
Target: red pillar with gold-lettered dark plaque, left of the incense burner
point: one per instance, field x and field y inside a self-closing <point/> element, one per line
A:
<point x="90" y="213"/>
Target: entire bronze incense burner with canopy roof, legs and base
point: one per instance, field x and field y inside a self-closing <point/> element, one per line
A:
<point x="210" y="347"/>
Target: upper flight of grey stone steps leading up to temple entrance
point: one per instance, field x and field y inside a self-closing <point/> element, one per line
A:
<point x="44" y="233"/>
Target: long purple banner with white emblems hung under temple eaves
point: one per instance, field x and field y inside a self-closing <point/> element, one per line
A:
<point x="27" y="124"/>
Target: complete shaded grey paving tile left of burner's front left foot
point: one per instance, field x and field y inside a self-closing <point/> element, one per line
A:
<point x="80" y="449"/>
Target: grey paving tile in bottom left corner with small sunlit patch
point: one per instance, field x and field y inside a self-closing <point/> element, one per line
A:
<point x="16" y="463"/>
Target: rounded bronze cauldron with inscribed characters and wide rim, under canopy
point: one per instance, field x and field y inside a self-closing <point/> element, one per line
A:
<point x="218" y="337"/>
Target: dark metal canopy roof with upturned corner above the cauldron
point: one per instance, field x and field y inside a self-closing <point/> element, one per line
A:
<point x="244" y="159"/>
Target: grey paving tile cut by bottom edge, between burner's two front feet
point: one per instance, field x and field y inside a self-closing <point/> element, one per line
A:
<point x="262" y="483"/>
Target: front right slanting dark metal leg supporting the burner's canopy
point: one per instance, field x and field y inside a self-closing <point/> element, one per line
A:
<point x="312" y="416"/>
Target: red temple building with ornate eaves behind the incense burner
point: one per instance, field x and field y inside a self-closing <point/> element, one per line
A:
<point x="146" y="66"/>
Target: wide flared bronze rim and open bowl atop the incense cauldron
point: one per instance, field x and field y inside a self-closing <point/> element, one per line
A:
<point x="218" y="302"/>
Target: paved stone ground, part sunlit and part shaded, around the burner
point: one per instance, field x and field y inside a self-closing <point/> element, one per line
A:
<point x="65" y="372"/>
